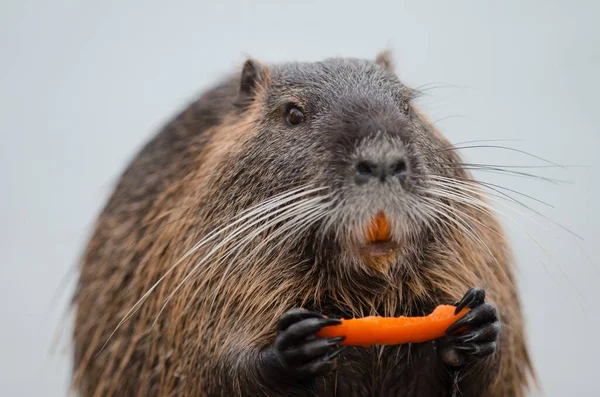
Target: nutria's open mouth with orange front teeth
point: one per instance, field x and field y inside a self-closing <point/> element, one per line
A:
<point x="379" y="250"/>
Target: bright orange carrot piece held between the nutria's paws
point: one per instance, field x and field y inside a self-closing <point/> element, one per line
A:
<point x="375" y="330"/>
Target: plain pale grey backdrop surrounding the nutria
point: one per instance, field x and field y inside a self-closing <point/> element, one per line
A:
<point x="83" y="84"/>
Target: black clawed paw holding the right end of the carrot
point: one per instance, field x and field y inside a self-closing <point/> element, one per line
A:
<point x="475" y="335"/>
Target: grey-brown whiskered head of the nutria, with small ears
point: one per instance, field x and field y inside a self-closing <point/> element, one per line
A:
<point x="346" y="131"/>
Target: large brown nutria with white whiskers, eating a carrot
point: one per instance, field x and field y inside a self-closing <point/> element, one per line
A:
<point x="241" y="230"/>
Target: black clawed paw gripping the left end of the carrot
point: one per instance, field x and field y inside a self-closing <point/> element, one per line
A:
<point x="300" y="352"/>
